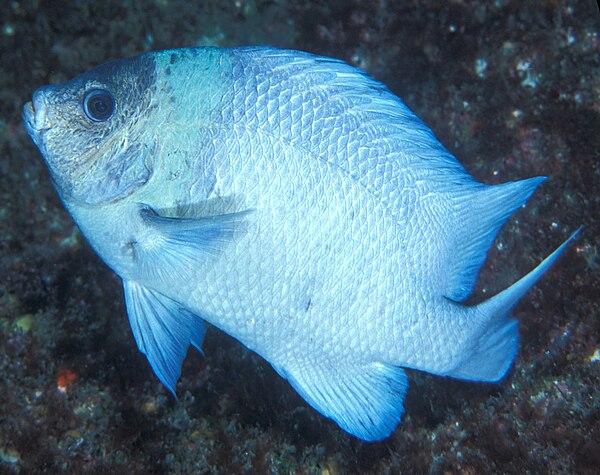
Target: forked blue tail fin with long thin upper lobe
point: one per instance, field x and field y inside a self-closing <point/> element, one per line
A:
<point x="496" y="347"/>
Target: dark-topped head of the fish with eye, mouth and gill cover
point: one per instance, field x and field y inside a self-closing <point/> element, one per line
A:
<point x="92" y="131"/>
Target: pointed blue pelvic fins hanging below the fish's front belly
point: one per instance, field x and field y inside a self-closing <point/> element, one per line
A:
<point x="163" y="330"/>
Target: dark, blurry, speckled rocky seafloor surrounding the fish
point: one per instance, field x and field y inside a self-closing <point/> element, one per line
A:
<point x="512" y="88"/>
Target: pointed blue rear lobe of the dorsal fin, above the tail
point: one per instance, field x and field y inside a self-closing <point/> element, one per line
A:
<point x="476" y="219"/>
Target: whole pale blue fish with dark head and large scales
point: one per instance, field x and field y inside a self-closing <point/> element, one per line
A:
<point x="293" y="202"/>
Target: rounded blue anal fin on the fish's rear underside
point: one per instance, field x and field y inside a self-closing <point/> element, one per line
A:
<point x="364" y="399"/>
